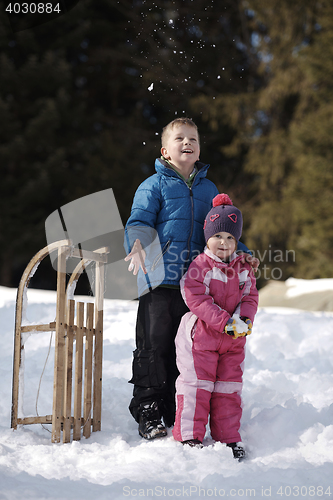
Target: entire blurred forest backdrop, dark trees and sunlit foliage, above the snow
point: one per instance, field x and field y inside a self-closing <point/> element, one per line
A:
<point x="77" y="116"/>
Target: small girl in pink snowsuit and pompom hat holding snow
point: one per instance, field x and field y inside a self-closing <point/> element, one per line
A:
<point x="220" y="291"/>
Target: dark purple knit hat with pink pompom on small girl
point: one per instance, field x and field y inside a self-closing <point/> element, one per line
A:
<point x="223" y="217"/>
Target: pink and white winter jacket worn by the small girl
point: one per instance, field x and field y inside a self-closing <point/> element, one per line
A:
<point x="214" y="290"/>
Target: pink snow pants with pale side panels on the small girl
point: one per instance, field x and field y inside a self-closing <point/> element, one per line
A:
<point x="210" y="383"/>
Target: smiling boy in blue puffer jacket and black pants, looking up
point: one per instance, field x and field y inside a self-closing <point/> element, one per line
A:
<point x="174" y="202"/>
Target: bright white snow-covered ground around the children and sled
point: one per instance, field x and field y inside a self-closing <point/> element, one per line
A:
<point x="287" y="423"/>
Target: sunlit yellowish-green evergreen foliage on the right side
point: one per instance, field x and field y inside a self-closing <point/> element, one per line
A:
<point x="282" y="137"/>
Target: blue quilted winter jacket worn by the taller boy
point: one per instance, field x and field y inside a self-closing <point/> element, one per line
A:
<point x="164" y="203"/>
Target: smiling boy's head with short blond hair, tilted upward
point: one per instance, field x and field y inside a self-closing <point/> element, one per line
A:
<point x="182" y="147"/>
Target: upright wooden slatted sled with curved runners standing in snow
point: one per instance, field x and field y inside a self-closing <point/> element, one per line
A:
<point x="74" y="340"/>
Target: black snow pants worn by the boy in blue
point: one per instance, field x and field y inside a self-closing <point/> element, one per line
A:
<point x="154" y="361"/>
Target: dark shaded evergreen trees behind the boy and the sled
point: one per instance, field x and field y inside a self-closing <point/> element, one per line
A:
<point x="82" y="115"/>
